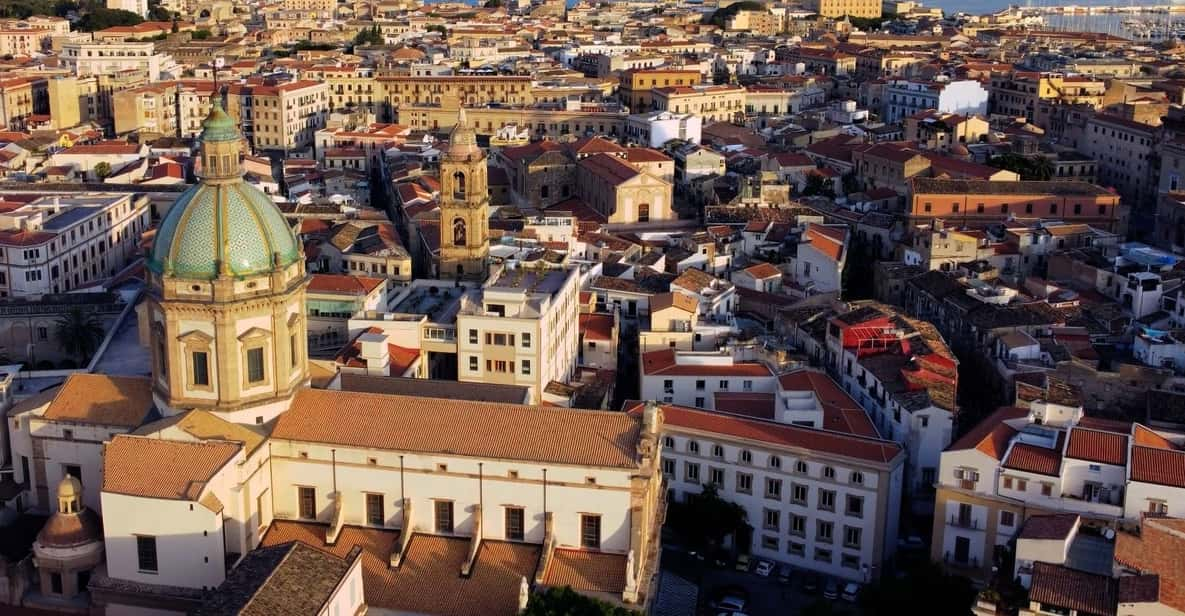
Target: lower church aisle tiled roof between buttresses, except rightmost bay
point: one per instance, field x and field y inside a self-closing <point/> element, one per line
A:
<point x="430" y="579"/>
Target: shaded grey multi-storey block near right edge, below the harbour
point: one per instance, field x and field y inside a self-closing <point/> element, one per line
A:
<point x="1126" y="152"/>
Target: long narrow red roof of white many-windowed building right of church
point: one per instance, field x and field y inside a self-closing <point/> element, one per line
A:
<point x="783" y="435"/>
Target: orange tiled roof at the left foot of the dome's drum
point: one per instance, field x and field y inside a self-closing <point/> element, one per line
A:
<point x="103" y="400"/>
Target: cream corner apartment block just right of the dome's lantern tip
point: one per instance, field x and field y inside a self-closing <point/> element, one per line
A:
<point x="280" y="117"/>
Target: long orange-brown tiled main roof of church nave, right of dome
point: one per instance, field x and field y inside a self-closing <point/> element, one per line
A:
<point x="595" y="439"/>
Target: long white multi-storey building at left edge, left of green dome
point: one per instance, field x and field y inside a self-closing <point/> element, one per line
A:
<point x="57" y="245"/>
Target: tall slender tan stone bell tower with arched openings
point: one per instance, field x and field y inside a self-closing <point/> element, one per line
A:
<point x="465" y="207"/>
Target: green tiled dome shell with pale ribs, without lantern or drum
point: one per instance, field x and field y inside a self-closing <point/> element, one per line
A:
<point x="230" y="223"/>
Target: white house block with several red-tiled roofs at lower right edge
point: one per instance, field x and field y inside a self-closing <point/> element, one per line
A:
<point x="1048" y="459"/>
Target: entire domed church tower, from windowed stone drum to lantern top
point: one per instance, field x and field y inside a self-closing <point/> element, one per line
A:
<point x="226" y="310"/>
